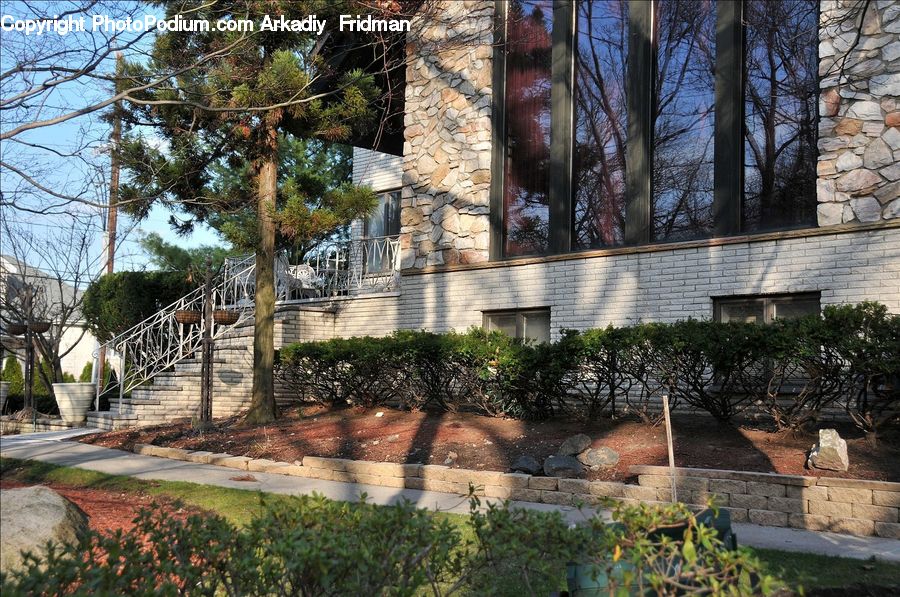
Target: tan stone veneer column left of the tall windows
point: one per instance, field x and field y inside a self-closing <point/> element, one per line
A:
<point x="447" y="149"/>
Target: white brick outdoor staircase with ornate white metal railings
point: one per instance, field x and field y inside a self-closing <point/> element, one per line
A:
<point x="157" y="362"/>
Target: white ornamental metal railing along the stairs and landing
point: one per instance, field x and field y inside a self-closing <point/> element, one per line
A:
<point x="333" y="270"/>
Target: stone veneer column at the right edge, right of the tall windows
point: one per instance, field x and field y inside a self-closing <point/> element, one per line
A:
<point x="859" y="130"/>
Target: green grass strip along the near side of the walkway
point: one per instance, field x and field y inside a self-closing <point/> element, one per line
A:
<point x="240" y="506"/>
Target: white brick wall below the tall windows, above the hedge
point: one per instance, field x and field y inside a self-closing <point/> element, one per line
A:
<point x="664" y="285"/>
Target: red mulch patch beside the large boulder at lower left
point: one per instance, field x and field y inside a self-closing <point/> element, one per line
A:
<point x="107" y="510"/>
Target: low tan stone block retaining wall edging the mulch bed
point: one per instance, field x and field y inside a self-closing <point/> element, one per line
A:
<point x="847" y="506"/>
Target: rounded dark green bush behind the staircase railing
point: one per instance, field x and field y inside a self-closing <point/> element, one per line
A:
<point x="116" y="302"/>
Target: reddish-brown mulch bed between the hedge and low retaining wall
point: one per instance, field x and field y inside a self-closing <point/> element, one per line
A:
<point x="493" y="444"/>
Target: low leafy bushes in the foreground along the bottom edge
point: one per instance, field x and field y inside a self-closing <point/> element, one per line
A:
<point x="313" y="546"/>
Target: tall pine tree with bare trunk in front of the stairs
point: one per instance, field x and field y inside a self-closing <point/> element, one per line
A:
<point x="236" y="109"/>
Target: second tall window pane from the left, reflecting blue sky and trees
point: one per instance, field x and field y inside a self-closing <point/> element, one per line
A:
<point x="601" y="124"/>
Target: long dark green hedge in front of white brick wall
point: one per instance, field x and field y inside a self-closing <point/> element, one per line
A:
<point x="792" y="371"/>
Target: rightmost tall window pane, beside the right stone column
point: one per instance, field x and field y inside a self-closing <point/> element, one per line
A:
<point x="780" y="102"/>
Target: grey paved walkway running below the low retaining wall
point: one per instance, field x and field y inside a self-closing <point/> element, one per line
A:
<point x="56" y="447"/>
